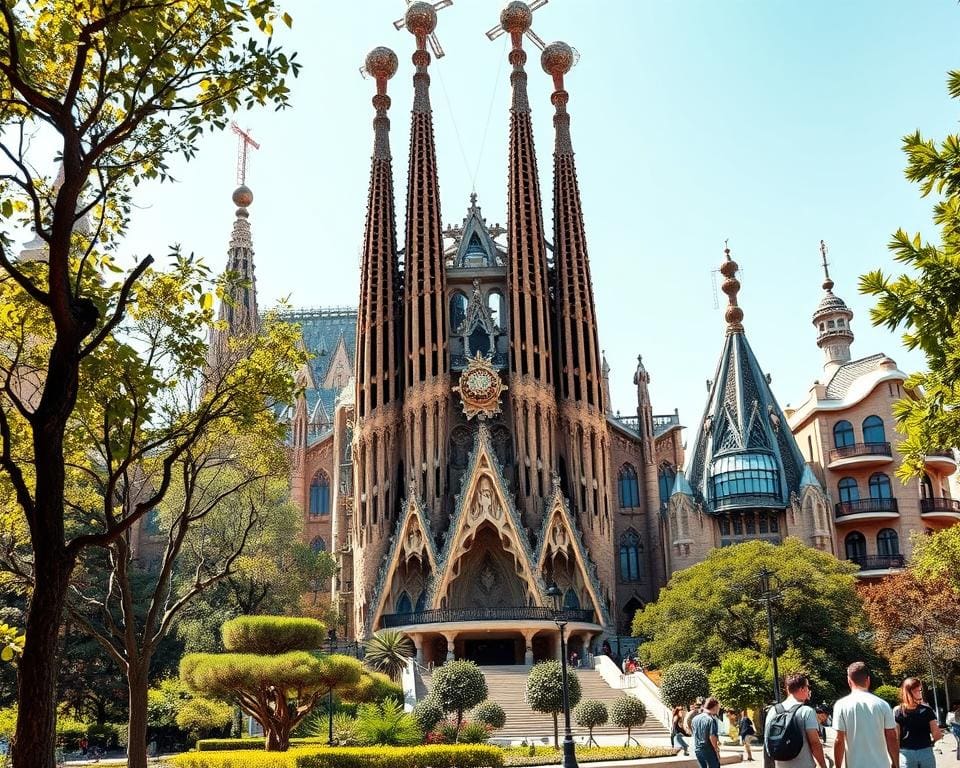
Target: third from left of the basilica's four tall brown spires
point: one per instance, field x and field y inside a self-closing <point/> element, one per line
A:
<point x="527" y="286"/>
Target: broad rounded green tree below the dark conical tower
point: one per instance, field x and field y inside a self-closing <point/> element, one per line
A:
<point x="710" y="609"/>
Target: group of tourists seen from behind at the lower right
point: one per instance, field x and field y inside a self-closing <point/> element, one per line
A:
<point x="869" y="733"/>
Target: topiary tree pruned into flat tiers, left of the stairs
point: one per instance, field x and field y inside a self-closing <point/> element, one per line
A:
<point x="272" y="672"/>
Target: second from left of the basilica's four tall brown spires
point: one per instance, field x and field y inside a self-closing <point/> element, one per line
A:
<point x="425" y="331"/>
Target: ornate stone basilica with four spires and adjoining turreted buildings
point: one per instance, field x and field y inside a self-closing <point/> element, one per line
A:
<point x="453" y="443"/>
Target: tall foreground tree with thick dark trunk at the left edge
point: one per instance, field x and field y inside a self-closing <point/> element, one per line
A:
<point x="119" y="86"/>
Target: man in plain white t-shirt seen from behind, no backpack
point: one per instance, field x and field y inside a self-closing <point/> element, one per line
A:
<point x="866" y="730"/>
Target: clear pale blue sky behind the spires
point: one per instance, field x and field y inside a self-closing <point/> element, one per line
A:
<point x="772" y="123"/>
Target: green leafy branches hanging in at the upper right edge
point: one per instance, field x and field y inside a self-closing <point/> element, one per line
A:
<point x="925" y="302"/>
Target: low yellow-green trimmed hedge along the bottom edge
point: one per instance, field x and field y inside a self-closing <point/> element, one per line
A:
<point x="439" y="756"/>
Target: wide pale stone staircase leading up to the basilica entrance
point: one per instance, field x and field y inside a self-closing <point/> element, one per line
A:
<point x="507" y="686"/>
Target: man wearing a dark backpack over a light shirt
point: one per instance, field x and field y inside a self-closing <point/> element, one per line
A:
<point x="791" y="732"/>
